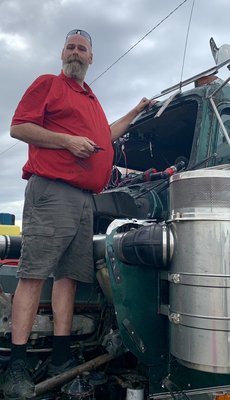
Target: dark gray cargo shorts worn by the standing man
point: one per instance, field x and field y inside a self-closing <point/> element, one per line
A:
<point x="57" y="232"/>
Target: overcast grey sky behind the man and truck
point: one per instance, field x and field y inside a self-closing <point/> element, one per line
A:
<point x="32" y="34"/>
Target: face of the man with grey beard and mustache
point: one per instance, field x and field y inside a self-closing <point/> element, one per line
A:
<point x="76" y="57"/>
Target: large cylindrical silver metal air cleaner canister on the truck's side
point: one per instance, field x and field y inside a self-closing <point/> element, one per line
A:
<point x="200" y="269"/>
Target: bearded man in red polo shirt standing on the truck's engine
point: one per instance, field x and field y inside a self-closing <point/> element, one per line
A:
<point x="70" y="156"/>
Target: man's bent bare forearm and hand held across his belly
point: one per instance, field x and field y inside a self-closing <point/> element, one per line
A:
<point x="38" y="136"/>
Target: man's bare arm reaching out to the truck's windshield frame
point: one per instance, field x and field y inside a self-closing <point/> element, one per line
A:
<point x="119" y="127"/>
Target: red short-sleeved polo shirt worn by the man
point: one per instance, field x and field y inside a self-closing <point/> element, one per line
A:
<point x="61" y="105"/>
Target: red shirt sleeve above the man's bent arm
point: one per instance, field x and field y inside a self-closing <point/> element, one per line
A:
<point x="33" y="104"/>
